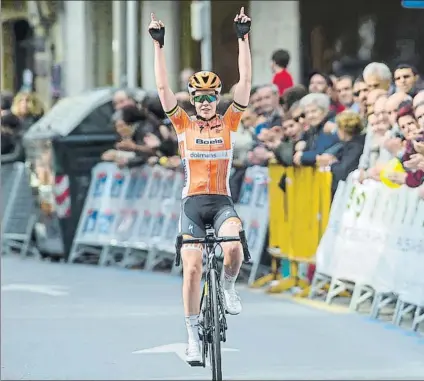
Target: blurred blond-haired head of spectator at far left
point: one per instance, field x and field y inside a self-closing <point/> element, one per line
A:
<point x="27" y="107"/>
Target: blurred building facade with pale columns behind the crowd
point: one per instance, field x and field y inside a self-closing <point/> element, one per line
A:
<point x="106" y="43"/>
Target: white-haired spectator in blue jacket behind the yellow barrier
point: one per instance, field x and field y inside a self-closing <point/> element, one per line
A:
<point x="315" y="141"/>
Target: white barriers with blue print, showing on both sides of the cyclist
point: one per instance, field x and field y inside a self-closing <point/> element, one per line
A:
<point x="135" y="213"/>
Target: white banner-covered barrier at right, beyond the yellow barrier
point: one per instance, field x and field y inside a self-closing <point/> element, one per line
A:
<point x="374" y="247"/>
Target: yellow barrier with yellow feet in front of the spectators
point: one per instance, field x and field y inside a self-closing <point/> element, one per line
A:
<point x="298" y="217"/>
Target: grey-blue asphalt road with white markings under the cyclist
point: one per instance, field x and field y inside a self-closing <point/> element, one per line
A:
<point x="63" y="322"/>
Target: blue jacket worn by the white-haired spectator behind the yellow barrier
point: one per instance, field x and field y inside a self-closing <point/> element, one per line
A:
<point x="317" y="142"/>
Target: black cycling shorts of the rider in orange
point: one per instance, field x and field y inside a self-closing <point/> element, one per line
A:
<point x="198" y="211"/>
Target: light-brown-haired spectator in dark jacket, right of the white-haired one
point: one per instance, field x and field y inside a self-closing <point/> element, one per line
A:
<point x="346" y="160"/>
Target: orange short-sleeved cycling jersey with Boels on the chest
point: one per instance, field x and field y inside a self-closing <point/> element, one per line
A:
<point x="206" y="150"/>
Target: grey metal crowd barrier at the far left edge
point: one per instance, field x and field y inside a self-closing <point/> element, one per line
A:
<point x="18" y="211"/>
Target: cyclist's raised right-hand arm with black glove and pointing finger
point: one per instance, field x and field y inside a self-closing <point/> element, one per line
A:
<point x="242" y="89"/>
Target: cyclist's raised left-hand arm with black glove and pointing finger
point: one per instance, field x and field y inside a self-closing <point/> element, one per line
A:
<point x="167" y="97"/>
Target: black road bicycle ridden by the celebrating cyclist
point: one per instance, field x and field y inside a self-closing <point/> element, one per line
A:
<point x="212" y="321"/>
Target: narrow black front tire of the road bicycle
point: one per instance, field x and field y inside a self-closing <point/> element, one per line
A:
<point x="215" y="352"/>
